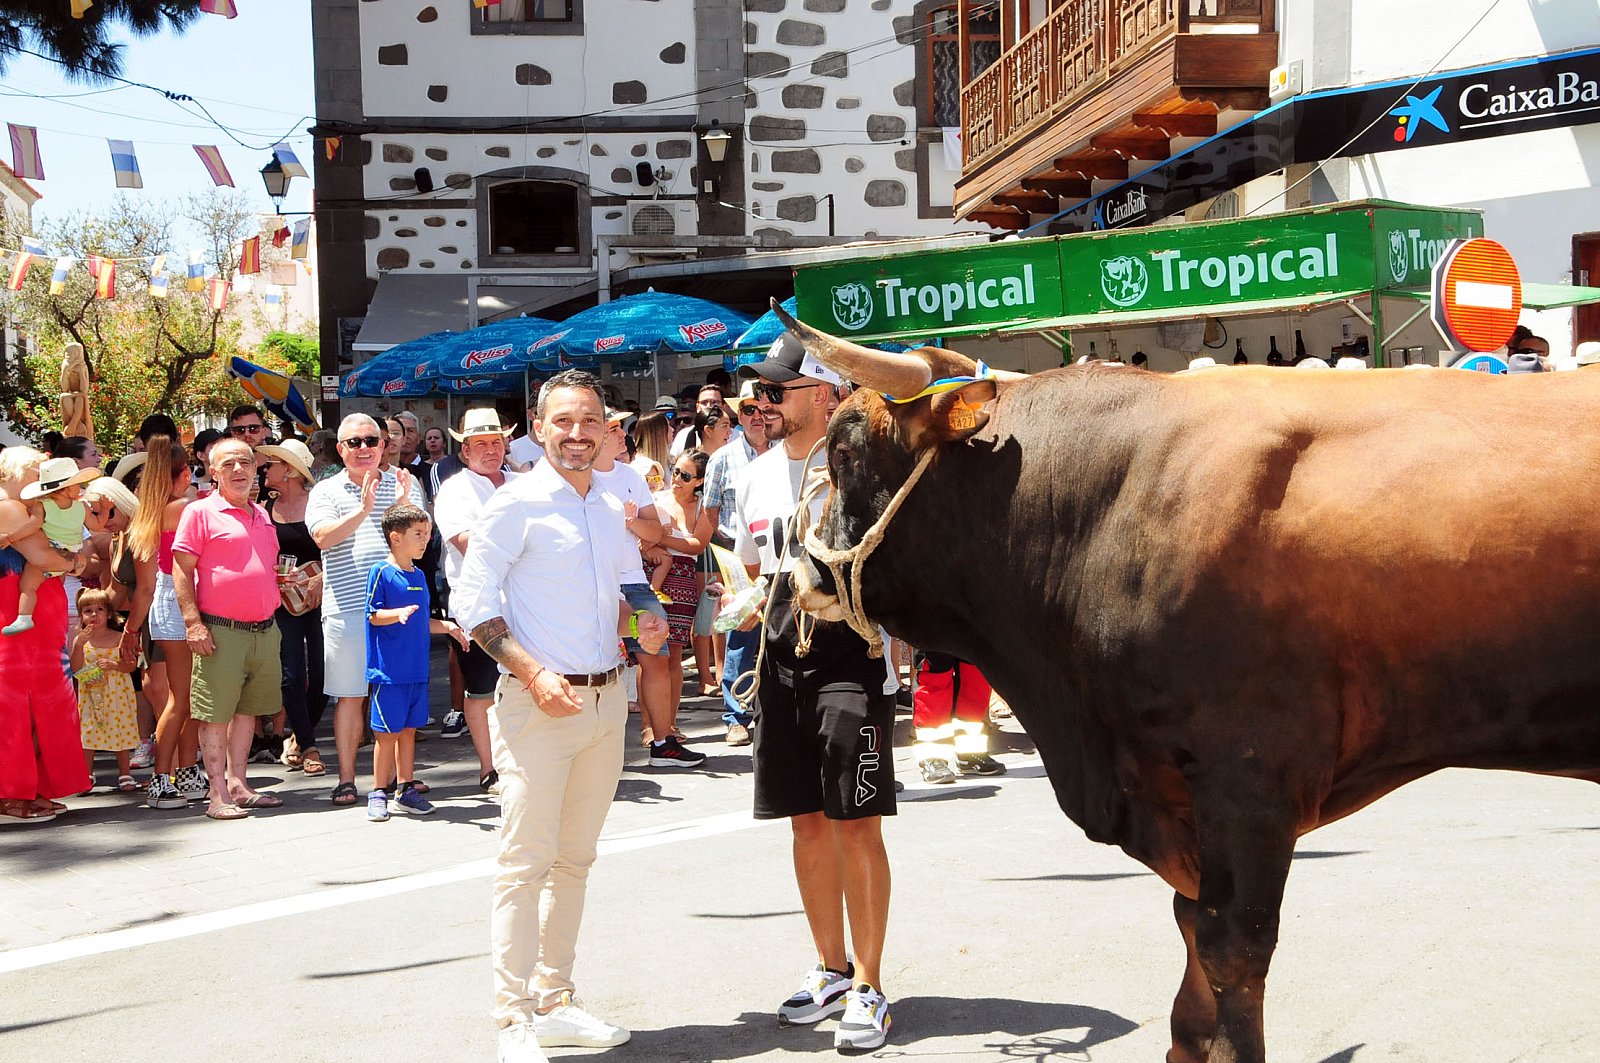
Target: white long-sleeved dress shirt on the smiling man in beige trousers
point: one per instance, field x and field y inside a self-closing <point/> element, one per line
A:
<point x="551" y="564"/>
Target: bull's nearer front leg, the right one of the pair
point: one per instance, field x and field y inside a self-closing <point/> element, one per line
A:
<point x="1247" y="843"/>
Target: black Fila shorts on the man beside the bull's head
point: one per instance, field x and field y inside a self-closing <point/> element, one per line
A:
<point x="826" y="750"/>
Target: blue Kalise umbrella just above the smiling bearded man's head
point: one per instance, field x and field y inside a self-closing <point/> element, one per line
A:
<point x="636" y="326"/>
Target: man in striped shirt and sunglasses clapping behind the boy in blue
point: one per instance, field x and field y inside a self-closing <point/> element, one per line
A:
<point x="345" y="516"/>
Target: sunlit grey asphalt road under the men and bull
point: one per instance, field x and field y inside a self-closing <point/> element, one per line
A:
<point x="1452" y="921"/>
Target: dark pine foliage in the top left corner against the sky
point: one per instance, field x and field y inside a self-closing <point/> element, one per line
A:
<point x="82" y="46"/>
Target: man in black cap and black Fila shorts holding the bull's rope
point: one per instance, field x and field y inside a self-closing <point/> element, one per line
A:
<point x="823" y="721"/>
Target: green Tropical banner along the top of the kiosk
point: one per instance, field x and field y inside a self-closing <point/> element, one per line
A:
<point x="1306" y="254"/>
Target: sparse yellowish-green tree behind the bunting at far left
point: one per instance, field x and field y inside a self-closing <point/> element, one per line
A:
<point x="145" y="355"/>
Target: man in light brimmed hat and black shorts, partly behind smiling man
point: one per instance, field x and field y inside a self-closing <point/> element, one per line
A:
<point x="457" y="508"/>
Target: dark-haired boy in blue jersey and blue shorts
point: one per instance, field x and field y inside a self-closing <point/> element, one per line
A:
<point x="398" y="630"/>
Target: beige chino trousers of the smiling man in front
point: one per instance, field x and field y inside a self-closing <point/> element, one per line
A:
<point x="558" y="784"/>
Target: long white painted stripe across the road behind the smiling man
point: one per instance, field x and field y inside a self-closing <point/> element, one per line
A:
<point x="287" y="907"/>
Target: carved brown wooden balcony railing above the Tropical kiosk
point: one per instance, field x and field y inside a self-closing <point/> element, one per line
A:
<point x="1079" y="47"/>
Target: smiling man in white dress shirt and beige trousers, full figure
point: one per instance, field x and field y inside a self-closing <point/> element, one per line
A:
<point x="542" y="593"/>
